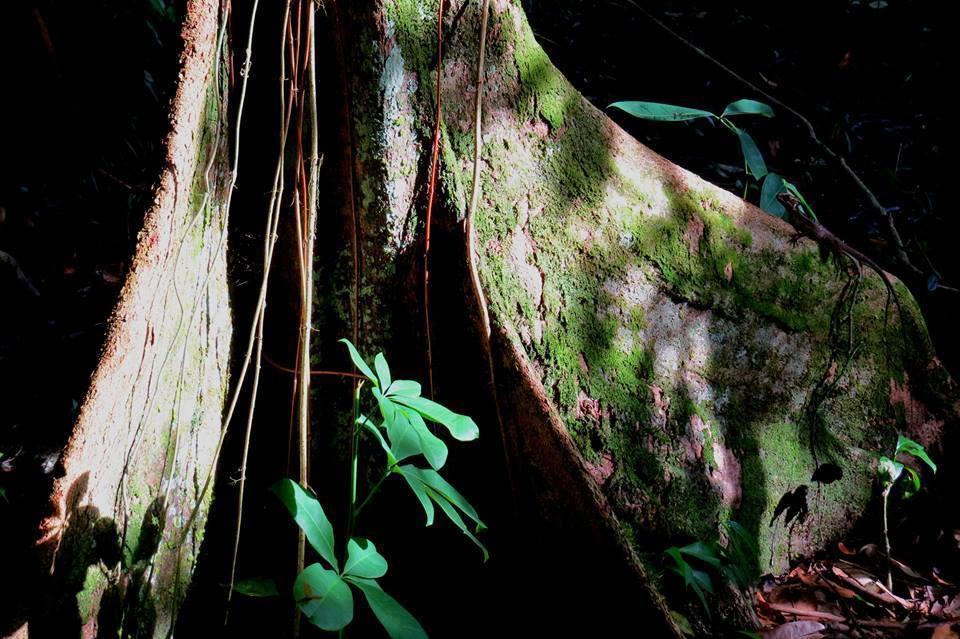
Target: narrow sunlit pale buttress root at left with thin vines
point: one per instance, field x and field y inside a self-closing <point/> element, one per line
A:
<point x="114" y="545"/>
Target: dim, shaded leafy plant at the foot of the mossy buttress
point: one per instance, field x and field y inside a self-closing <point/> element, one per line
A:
<point x="734" y="561"/>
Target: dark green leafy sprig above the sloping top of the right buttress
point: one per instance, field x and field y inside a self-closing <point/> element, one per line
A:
<point x="771" y="184"/>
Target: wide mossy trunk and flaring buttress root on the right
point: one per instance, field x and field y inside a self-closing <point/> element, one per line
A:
<point x="674" y="358"/>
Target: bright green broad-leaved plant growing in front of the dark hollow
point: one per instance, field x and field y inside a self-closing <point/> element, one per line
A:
<point x="323" y="591"/>
